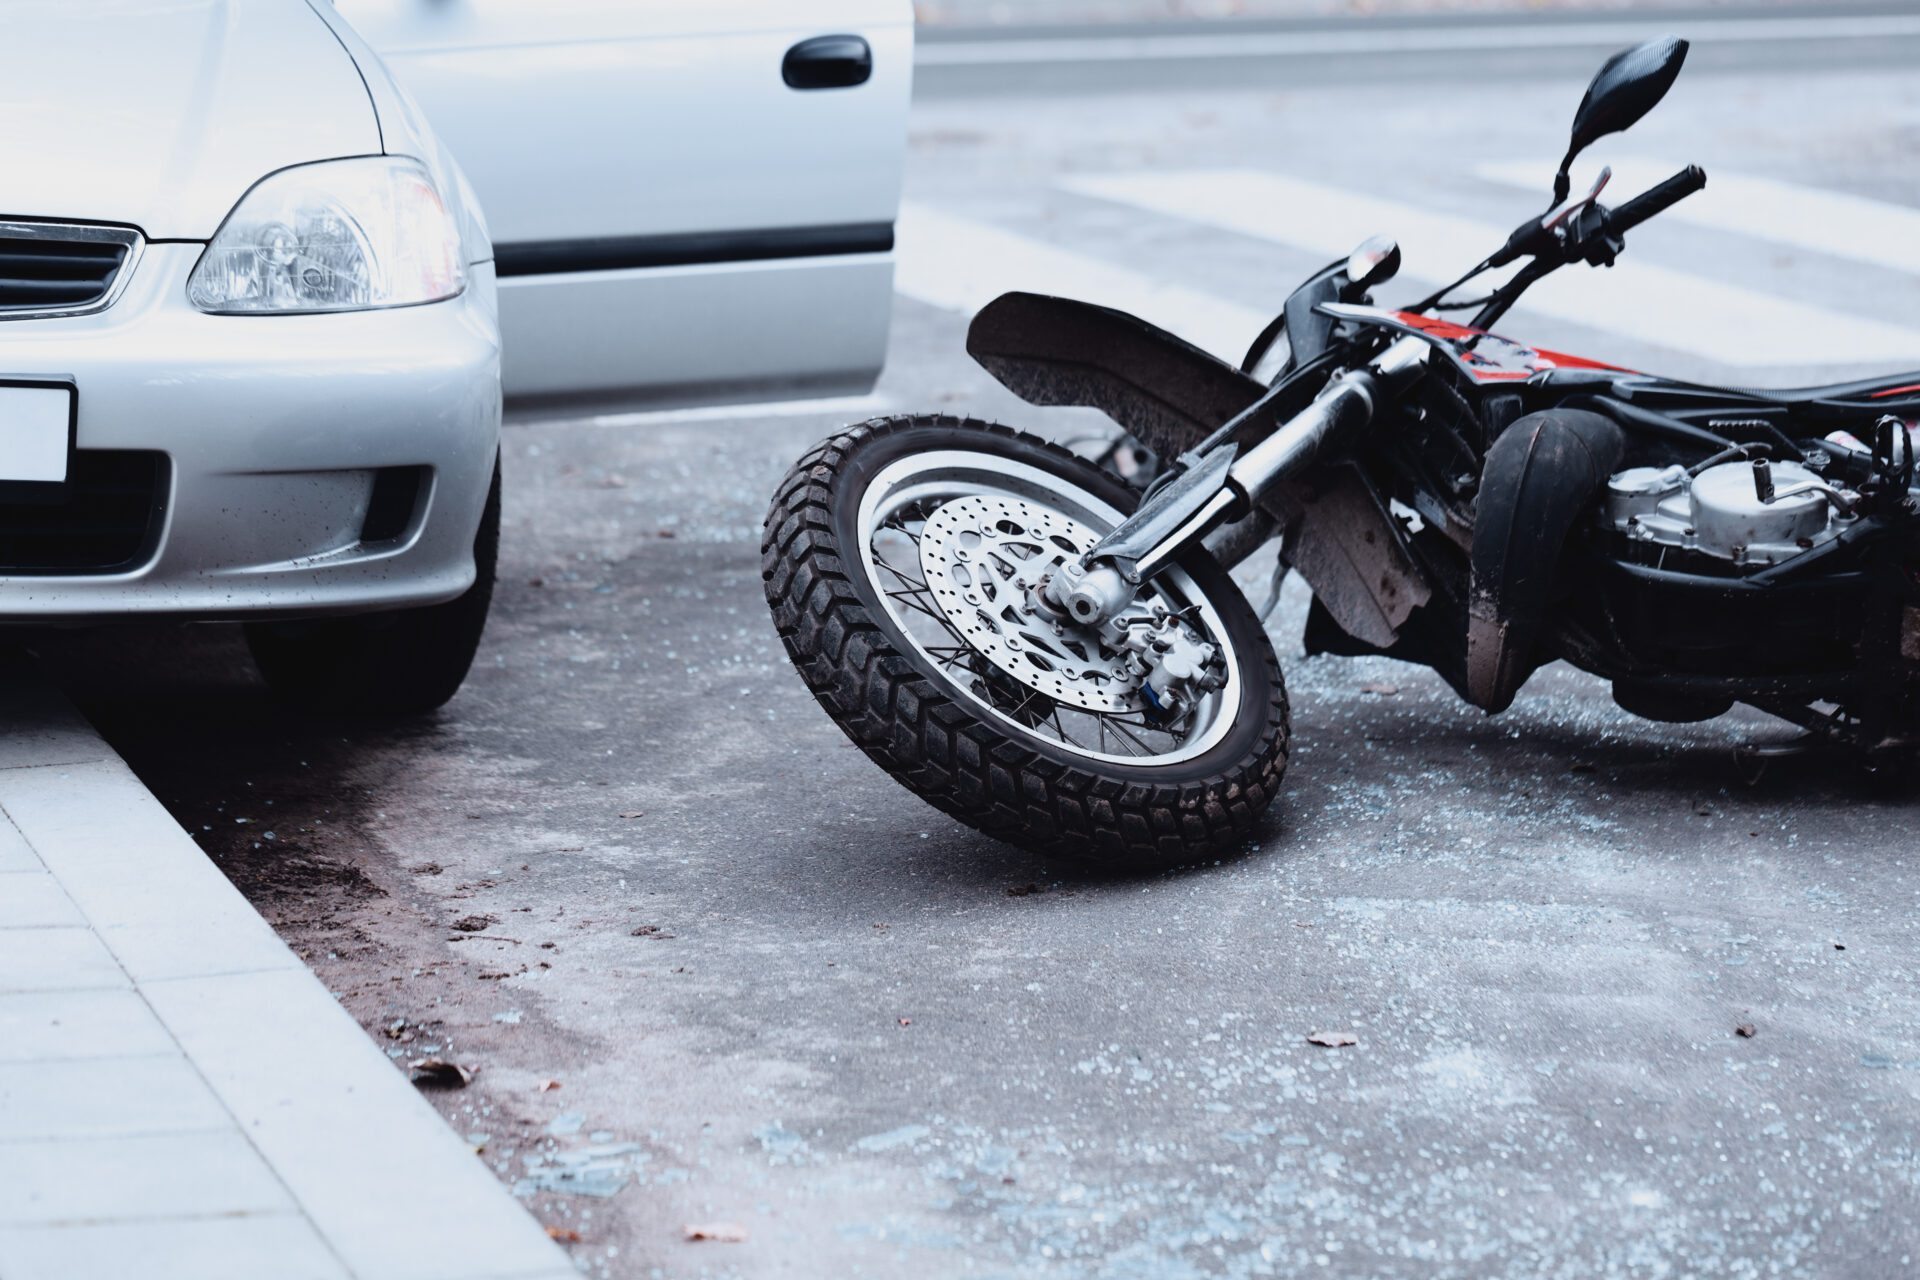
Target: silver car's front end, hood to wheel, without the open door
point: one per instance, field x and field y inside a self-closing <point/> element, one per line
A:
<point x="249" y="344"/>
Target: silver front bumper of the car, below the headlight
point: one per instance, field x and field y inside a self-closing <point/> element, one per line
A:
<point x="268" y="437"/>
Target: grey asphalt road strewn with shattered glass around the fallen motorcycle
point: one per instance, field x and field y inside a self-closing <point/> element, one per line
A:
<point x="729" y="974"/>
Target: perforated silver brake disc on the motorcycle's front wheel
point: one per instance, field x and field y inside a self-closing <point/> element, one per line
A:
<point x="984" y="561"/>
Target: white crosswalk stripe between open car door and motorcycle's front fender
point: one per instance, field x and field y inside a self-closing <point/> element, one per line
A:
<point x="963" y="266"/>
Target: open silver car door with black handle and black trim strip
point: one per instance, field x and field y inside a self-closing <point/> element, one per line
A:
<point x="686" y="197"/>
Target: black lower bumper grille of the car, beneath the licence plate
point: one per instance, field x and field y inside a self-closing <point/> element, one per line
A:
<point x="105" y="521"/>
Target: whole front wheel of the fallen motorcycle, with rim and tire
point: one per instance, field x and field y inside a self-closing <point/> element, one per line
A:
<point x="901" y="565"/>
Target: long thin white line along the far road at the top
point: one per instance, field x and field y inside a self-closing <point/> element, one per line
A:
<point x="1399" y="41"/>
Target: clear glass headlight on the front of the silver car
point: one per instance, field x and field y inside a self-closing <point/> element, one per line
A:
<point x="343" y="235"/>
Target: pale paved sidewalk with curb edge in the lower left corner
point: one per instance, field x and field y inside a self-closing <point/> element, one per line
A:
<point x="180" y="1097"/>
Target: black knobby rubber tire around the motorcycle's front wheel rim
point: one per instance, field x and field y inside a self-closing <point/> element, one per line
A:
<point x="850" y="652"/>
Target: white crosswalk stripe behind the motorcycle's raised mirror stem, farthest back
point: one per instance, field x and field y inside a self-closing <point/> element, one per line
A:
<point x="1869" y="231"/>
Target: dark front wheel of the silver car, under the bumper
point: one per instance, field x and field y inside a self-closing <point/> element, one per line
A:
<point x="398" y="663"/>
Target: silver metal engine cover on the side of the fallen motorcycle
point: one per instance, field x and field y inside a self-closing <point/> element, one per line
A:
<point x="1721" y="513"/>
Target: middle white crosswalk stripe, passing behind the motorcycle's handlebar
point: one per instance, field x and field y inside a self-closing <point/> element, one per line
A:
<point x="1673" y="310"/>
